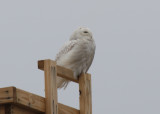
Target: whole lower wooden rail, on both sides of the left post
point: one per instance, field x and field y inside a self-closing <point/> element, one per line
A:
<point x="28" y="100"/>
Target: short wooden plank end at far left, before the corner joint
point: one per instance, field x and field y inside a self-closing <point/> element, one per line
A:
<point x="6" y="95"/>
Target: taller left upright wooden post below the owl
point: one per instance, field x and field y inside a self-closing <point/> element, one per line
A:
<point x="50" y="71"/>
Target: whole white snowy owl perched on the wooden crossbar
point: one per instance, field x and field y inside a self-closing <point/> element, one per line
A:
<point x="77" y="54"/>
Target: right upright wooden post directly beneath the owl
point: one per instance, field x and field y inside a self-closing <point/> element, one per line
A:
<point x="85" y="94"/>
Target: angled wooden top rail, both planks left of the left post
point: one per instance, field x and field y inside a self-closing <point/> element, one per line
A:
<point x="17" y="96"/>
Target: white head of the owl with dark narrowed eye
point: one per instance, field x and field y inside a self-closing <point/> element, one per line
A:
<point x="80" y="33"/>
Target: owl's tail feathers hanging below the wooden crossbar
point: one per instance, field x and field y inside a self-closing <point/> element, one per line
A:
<point x="62" y="83"/>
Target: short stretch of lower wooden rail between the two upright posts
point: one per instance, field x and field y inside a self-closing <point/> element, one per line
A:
<point x="63" y="109"/>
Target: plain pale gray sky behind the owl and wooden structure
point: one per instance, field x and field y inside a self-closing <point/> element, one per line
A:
<point x="126" y="68"/>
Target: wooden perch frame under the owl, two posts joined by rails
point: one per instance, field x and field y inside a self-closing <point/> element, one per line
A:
<point x="84" y="81"/>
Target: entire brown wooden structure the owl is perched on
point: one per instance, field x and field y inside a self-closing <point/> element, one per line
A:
<point x="16" y="101"/>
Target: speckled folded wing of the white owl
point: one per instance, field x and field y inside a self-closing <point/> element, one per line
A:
<point x="66" y="48"/>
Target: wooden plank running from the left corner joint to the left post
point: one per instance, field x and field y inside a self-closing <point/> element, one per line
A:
<point x="30" y="100"/>
